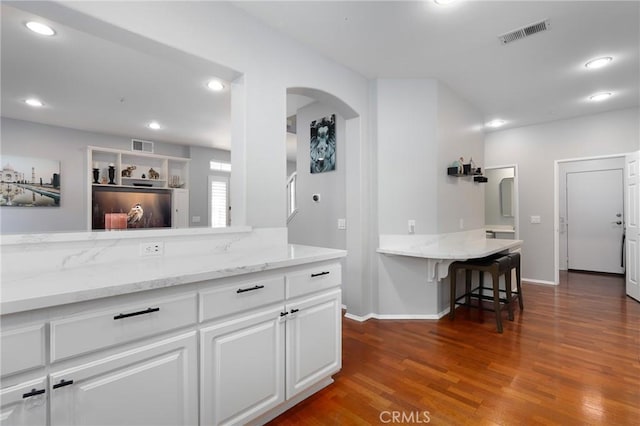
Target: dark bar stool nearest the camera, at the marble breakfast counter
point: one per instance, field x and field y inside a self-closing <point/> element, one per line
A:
<point x="495" y="266"/>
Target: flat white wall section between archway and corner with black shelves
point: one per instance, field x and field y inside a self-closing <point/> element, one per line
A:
<point x="407" y="152"/>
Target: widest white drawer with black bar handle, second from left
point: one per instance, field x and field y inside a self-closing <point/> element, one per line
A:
<point x="85" y="333"/>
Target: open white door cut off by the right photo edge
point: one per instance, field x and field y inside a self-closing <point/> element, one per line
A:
<point x="632" y="208"/>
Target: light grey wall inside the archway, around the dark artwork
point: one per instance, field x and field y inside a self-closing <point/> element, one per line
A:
<point x="315" y="223"/>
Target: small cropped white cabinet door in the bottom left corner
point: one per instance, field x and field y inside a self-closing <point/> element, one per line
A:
<point x="24" y="404"/>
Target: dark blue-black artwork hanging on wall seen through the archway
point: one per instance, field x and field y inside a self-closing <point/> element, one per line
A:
<point x="322" y="148"/>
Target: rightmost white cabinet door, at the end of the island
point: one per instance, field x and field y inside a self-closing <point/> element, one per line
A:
<point x="314" y="340"/>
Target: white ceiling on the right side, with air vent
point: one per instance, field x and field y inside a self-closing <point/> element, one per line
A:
<point x="533" y="80"/>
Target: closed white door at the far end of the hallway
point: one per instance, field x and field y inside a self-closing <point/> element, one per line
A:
<point x="595" y="220"/>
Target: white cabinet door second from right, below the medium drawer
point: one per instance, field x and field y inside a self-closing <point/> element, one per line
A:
<point x="242" y="367"/>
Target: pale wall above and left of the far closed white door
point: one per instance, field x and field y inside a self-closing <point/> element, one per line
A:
<point x="535" y="149"/>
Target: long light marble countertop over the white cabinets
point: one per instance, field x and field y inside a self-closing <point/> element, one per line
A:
<point x="97" y="281"/>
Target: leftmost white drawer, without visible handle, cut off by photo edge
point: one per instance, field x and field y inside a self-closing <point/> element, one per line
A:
<point x="22" y="349"/>
